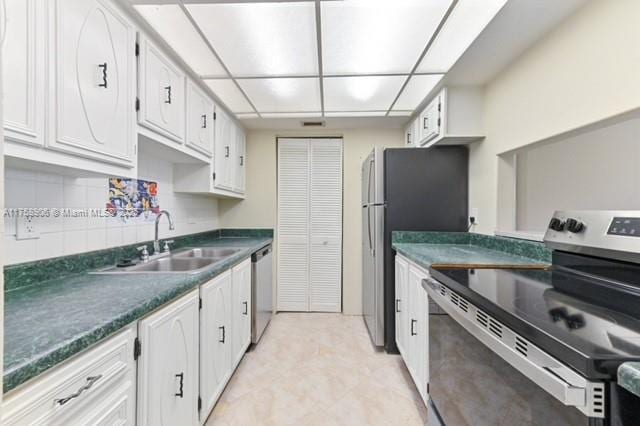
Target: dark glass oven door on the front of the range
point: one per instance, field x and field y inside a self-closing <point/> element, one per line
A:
<point x="470" y="384"/>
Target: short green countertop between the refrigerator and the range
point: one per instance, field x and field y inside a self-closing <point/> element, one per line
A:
<point x="462" y="248"/>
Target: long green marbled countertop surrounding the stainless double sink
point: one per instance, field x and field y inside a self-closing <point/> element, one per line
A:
<point x="49" y="320"/>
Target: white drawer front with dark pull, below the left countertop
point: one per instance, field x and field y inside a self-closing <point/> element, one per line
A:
<point x="73" y="390"/>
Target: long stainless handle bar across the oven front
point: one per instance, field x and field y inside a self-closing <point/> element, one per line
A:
<point x="537" y="365"/>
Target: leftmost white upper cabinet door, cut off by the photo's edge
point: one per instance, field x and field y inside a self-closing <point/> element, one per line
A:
<point x="23" y="70"/>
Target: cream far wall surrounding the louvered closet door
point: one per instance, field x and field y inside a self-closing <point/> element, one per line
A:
<point x="260" y="207"/>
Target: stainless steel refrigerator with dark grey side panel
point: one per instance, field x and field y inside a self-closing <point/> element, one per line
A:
<point x="405" y="189"/>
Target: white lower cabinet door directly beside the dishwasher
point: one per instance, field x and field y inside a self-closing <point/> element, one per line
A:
<point x="241" y="309"/>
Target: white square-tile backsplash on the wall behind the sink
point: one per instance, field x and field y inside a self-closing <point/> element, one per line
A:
<point x="64" y="236"/>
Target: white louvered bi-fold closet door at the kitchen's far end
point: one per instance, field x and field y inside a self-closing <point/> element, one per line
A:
<point x="309" y="225"/>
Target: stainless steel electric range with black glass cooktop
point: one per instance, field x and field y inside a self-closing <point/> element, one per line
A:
<point x="515" y="347"/>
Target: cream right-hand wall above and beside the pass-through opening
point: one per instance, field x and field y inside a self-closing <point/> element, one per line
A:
<point x="585" y="71"/>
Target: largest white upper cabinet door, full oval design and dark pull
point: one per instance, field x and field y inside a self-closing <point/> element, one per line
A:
<point x="93" y="90"/>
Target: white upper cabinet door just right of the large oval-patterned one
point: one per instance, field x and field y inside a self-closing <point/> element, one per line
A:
<point x="161" y="86"/>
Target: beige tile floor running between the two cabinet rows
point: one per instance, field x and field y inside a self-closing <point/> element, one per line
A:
<point x="318" y="369"/>
